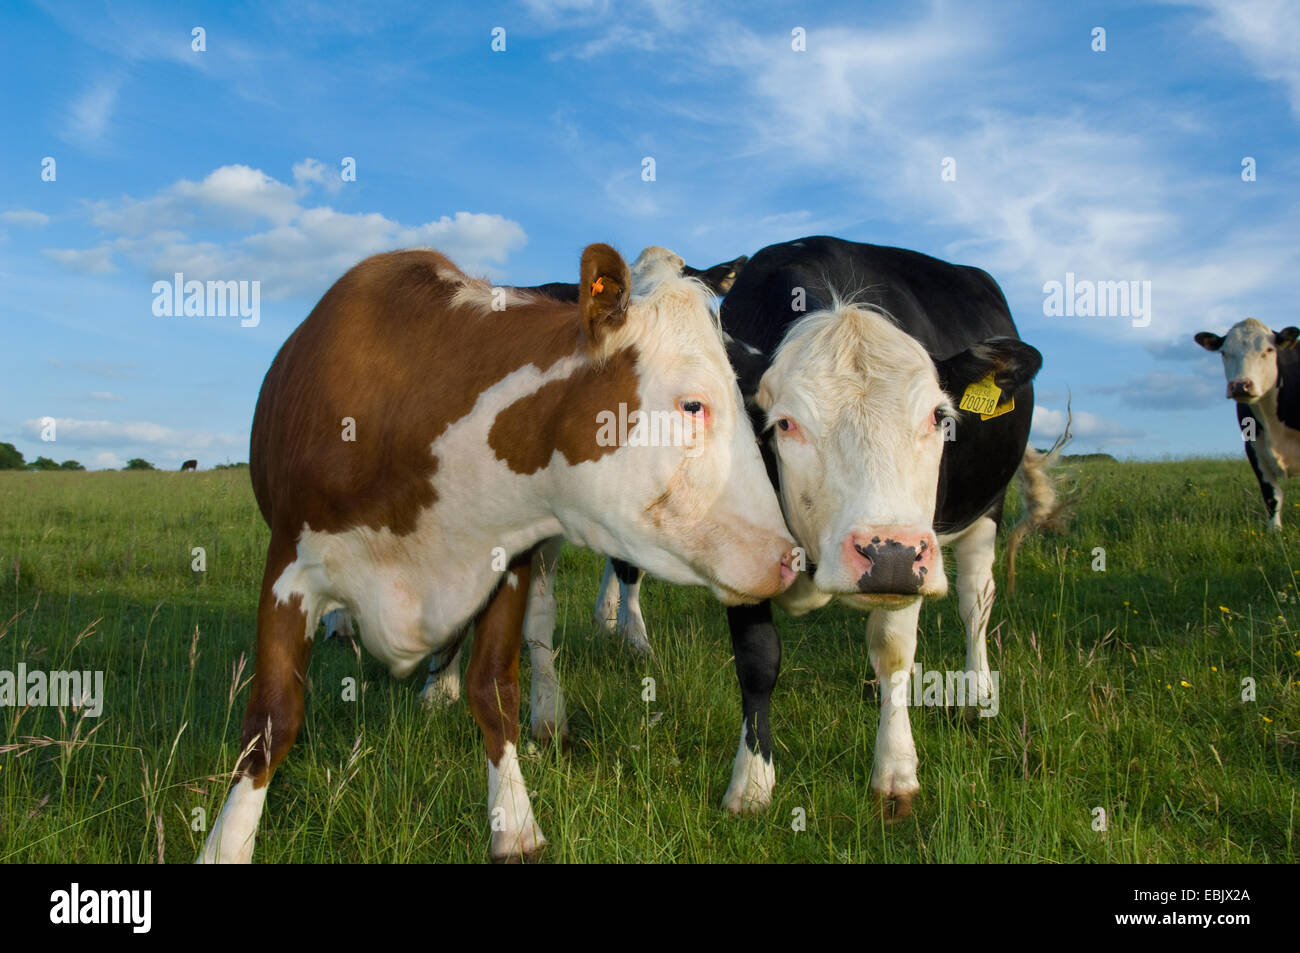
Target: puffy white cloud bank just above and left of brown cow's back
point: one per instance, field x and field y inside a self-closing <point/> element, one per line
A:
<point x="300" y="252"/>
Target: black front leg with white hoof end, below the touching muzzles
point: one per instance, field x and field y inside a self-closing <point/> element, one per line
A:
<point x="759" y="664"/>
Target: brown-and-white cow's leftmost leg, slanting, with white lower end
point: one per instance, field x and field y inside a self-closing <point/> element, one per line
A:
<point x="274" y="717"/>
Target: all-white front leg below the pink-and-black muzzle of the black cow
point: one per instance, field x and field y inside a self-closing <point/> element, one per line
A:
<point x="892" y="639"/>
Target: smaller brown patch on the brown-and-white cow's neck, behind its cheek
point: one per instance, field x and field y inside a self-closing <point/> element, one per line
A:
<point x="562" y="417"/>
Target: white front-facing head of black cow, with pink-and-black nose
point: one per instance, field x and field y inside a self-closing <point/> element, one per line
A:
<point x="856" y="408"/>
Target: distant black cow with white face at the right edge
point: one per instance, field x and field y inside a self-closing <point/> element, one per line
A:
<point x="1263" y="370"/>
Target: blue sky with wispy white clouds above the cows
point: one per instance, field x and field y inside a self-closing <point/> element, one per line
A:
<point x="224" y="164"/>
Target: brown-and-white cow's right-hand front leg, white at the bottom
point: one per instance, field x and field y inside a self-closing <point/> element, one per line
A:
<point x="493" y="683"/>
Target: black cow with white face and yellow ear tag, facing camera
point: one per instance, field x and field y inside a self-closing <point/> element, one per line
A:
<point x="855" y="361"/>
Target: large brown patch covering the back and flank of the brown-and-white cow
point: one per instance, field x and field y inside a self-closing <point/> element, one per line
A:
<point x="387" y="348"/>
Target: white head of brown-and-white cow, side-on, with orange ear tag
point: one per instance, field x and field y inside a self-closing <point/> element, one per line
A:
<point x="686" y="496"/>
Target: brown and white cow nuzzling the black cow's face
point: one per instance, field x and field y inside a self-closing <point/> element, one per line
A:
<point x="457" y="431"/>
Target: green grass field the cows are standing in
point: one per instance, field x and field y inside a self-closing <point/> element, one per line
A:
<point x="1120" y="690"/>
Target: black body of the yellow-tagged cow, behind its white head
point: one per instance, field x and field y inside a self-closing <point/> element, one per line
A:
<point x="946" y="307"/>
